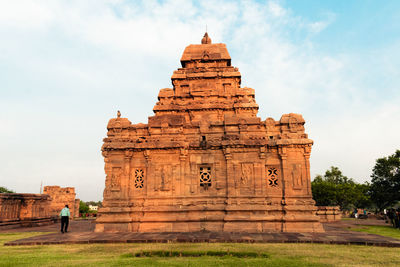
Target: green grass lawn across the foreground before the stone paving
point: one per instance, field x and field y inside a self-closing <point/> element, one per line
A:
<point x="123" y="254"/>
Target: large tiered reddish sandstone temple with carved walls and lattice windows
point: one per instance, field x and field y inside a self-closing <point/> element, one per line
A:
<point x="205" y="161"/>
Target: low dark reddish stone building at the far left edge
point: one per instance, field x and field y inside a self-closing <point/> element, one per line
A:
<point x="24" y="210"/>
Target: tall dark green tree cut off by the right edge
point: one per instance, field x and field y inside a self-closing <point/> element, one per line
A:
<point x="385" y="183"/>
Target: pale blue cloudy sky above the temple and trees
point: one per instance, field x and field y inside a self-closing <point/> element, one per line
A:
<point x="66" y="67"/>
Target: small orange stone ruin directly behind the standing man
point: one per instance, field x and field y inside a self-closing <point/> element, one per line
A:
<point x="60" y="197"/>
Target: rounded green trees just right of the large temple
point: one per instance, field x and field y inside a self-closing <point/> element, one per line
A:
<point x="335" y="189"/>
